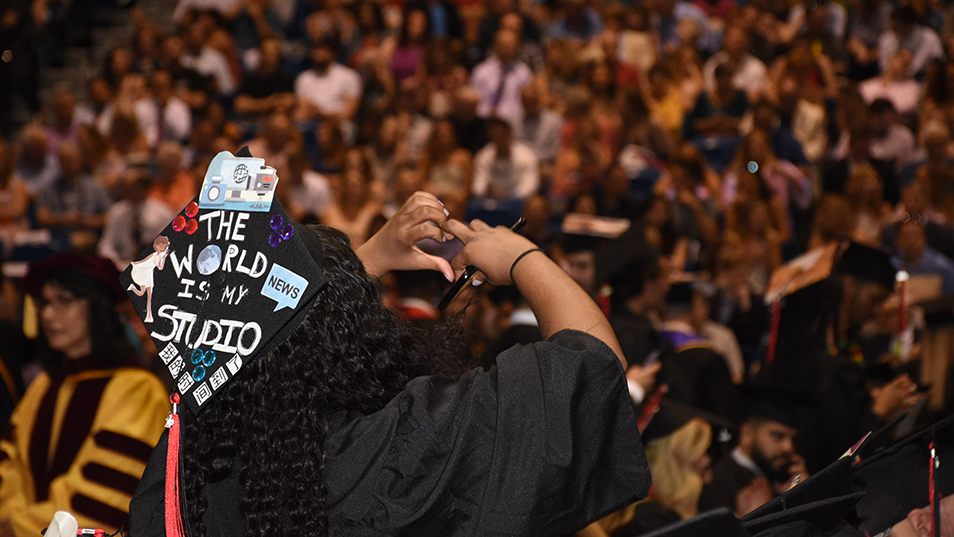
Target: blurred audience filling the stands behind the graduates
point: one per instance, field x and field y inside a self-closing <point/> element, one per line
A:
<point x="733" y="135"/>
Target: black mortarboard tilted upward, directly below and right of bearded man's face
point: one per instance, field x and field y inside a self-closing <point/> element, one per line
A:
<point x="832" y="483"/>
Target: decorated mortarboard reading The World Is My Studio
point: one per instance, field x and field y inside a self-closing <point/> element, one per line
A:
<point x="227" y="280"/>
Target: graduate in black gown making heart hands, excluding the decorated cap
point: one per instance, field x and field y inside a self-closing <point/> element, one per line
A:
<point x="338" y="430"/>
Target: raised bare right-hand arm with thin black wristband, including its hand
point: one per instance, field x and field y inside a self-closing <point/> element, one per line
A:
<point x="556" y="300"/>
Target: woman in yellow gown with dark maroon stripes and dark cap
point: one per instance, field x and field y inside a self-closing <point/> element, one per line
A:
<point x="80" y="437"/>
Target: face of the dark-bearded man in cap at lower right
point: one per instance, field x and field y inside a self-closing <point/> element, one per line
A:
<point x="771" y="445"/>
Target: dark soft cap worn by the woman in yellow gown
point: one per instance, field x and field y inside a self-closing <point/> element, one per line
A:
<point x="96" y="270"/>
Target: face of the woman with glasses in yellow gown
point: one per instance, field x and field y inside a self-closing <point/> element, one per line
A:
<point x="65" y="321"/>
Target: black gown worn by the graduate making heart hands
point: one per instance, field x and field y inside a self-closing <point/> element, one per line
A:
<point x="542" y="444"/>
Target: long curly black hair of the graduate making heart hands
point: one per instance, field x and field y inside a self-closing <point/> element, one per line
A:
<point x="269" y="424"/>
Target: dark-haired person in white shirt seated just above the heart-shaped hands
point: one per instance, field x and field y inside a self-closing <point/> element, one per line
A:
<point x="505" y="169"/>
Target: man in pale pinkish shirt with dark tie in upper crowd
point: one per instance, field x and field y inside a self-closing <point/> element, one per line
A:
<point x="500" y="78"/>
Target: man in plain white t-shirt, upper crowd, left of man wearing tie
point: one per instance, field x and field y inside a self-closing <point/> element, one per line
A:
<point x="328" y="89"/>
